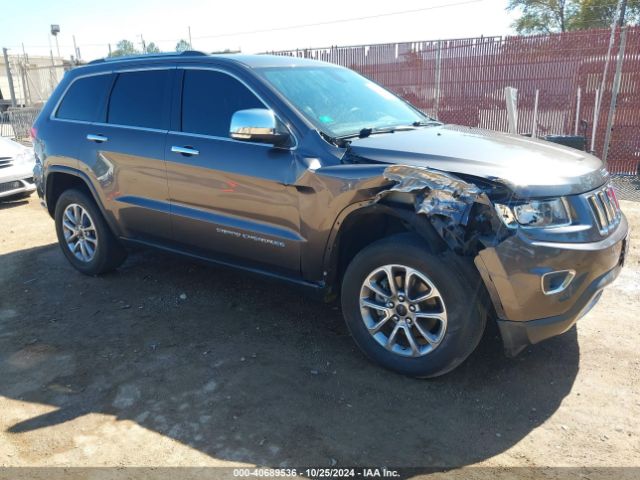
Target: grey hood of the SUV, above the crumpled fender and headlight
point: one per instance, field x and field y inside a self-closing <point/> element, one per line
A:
<point x="530" y="168"/>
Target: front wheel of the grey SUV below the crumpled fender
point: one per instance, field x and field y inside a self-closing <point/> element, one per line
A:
<point x="410" y="310"/>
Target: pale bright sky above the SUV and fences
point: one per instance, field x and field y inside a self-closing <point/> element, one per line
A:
<point x="253" y="26"/>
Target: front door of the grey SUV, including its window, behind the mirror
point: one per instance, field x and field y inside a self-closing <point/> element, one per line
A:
<point x="229" y="198"/>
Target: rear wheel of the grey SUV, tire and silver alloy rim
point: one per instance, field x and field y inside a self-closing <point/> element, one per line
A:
<point x="84" y="236"/>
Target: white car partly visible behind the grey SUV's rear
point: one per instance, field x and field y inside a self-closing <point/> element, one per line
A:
<point x="16" y="170"/>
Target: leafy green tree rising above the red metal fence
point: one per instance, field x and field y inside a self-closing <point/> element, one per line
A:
<point x="549" y="16"/>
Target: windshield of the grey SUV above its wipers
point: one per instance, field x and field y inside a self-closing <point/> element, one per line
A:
<point x="340" y="102"/>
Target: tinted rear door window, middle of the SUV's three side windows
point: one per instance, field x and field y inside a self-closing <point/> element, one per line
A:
<point x="139" y="99"/>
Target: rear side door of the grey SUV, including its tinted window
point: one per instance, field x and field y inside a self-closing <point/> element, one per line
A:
<point x="127" y="161"/>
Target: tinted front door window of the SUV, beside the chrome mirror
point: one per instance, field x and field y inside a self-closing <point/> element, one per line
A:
<point x="209" y="99"/>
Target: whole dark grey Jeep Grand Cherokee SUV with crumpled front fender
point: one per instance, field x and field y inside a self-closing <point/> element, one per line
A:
<point x="312" y="174"/>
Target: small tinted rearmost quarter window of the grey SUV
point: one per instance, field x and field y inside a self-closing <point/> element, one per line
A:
<point x="84" y="98"/>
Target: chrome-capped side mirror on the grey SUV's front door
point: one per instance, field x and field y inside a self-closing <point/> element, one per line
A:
<point x="257" y="125"/>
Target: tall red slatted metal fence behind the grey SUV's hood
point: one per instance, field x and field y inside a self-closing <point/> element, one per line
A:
<point x="462" y="81"/>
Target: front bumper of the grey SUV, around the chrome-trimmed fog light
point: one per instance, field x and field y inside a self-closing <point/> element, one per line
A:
<point x="513" y="271"/>
